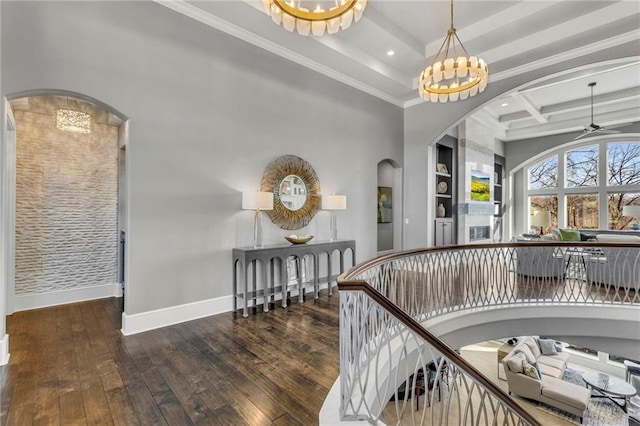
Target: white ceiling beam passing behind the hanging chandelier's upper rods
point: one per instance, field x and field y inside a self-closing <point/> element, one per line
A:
<point x="508" y="16"/>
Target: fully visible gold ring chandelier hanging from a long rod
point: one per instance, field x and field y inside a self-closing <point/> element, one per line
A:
<point x="454" y="77"/>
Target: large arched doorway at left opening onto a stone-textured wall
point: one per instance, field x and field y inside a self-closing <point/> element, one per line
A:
<point x="66" y="204"/>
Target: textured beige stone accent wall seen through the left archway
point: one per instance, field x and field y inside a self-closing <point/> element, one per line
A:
<point x="66" y="206"/>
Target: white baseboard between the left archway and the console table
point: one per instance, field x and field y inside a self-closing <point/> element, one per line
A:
<point x="145" y="321"/>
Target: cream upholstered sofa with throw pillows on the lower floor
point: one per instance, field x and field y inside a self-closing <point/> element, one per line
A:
<point x="550" y="388"/>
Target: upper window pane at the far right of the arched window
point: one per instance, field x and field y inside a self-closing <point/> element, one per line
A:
<point x="623" y="167"/>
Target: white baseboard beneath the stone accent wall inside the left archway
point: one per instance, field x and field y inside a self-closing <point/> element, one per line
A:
<point x="62" y="297"/>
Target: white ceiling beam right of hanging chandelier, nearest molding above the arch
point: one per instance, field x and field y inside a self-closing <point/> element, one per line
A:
<point x="575" y="26"/>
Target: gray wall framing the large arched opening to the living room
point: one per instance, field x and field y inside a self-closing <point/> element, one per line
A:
<point x="425" y="123"/>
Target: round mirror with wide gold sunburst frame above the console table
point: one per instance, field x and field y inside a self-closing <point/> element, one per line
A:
<point x="296" y="191"/>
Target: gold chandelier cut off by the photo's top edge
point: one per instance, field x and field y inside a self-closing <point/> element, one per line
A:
<point x="292" y="15"/>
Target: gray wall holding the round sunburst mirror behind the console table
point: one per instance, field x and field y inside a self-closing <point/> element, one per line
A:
<point x="208" y="112"/>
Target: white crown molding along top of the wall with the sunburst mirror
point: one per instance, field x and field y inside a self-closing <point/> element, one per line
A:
<point x="213" y="21"/>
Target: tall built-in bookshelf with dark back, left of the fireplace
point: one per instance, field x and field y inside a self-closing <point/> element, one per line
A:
<point x="445" y="191"/>
